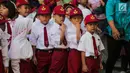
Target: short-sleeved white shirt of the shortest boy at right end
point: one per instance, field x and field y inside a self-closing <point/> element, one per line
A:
<point x="86" y="44"/>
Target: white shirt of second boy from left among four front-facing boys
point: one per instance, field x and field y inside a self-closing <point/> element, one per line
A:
<point x="55" y="36"/>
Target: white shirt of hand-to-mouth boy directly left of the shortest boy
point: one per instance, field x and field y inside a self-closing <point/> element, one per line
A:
<point x="71" y="36"/>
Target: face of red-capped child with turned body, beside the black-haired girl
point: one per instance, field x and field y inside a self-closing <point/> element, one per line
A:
<point x="24" y="10"/>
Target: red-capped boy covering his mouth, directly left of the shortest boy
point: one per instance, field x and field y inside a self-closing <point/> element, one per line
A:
<point x="73" y="34"/>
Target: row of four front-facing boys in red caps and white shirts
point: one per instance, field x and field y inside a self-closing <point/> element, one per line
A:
<point x="48" y="37"/>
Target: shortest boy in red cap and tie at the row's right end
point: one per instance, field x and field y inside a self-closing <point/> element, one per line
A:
<point x="91" y="46"/>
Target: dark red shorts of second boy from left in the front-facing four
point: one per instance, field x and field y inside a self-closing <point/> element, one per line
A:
<point x="59" y="61"/>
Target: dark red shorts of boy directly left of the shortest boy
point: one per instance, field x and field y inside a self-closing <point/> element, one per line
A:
<point x="74" y="61"/>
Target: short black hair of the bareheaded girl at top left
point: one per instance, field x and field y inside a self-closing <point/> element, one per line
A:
<point x="11" y="8"/>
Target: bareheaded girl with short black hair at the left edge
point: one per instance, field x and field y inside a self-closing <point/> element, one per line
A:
<point x="7" y="9"/>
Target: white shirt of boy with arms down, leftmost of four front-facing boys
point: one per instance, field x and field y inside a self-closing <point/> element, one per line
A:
<point x="37" y="35"/>
